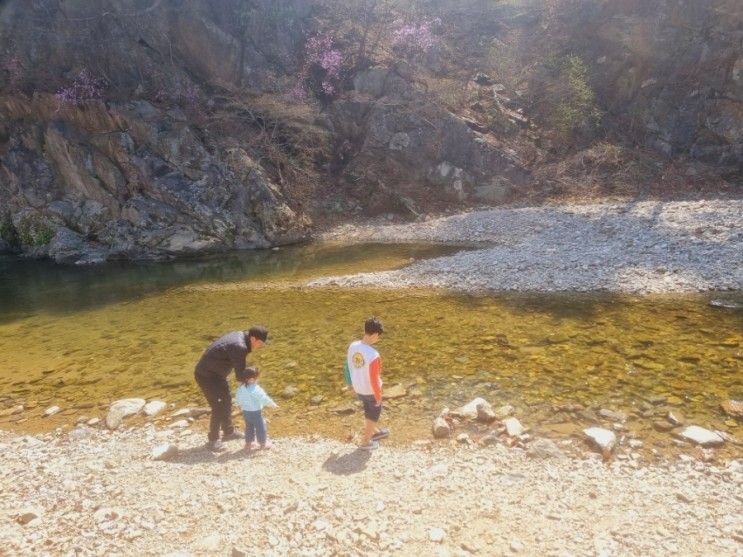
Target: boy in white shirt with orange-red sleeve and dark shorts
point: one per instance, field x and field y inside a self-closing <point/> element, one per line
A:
<point x="364" y="373"/>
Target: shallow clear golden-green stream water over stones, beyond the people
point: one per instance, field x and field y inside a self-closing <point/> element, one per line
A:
<point x="557" y="359"/>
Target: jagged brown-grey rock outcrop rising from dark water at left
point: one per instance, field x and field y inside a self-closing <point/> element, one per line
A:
<point x="132" y="180"/>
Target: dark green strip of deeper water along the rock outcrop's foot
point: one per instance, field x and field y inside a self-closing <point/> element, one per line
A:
<point x="28" y="286"/>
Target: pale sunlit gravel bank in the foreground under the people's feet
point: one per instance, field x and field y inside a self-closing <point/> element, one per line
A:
<point x="98" y="493"/>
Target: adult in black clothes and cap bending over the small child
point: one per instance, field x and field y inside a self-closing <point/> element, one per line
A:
<point x="224" y="354"/>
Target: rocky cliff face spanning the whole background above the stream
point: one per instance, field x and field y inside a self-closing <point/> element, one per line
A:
<point x="173" y="131"/>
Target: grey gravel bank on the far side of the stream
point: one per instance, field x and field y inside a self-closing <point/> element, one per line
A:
<point x="643" y="247"/>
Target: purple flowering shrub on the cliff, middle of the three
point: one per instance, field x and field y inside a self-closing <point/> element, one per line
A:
<point x="321" y="71"/>
